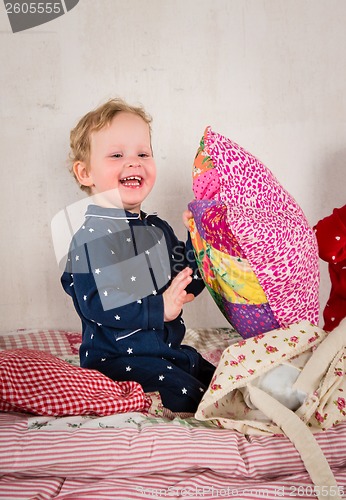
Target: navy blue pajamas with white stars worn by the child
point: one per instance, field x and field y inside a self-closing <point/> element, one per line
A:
<point x="117" y="269"/>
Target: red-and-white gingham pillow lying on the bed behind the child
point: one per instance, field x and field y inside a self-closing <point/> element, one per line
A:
<point x="38" y="382"/>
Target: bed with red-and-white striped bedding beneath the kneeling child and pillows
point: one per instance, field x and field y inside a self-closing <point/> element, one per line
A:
<point x="147" y="454"/>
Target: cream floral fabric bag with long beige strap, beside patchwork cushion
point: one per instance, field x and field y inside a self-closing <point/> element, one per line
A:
<point x="321" y="359"/>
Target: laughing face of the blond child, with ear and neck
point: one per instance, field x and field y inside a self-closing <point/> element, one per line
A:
<point x="121" y="170"/>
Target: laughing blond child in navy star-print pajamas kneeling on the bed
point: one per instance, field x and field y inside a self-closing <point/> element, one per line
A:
<point x="127" y="273"/>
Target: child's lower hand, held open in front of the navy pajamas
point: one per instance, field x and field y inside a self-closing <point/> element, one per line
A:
<point x="176" y="296"/>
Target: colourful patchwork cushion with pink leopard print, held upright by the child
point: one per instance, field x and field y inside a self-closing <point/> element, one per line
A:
<point x="255" y="249"/>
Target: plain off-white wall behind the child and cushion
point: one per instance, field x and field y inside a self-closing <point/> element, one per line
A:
<point x="270" y="74"/>
